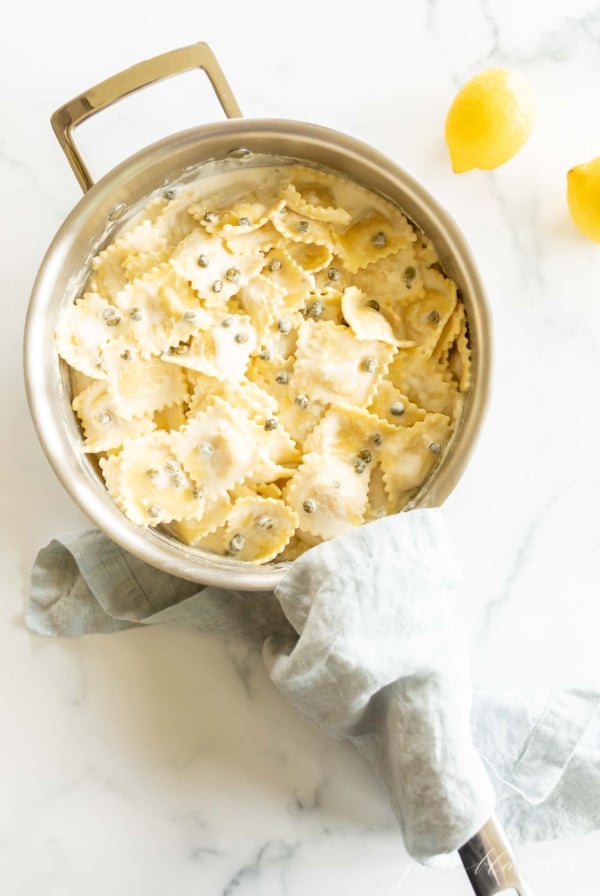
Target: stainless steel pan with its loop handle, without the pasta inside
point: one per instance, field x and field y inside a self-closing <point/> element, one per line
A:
<point x="107" y="204"/>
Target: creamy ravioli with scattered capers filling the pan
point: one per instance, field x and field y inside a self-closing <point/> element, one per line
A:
<point x="265" y="358"/>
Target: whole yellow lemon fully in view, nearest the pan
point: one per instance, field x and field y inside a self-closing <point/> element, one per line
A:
<point x="490" y="119"/>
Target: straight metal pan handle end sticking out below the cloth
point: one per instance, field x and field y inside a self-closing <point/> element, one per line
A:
<point x="490" y="864"/>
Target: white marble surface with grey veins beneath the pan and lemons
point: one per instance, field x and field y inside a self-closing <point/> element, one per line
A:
<point x="160" y="762"/>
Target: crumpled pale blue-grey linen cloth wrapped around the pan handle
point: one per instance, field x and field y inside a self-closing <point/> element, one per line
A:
<point x="361" y="638"/>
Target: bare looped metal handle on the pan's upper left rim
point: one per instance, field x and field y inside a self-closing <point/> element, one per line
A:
<point x="66" y="119"/>
